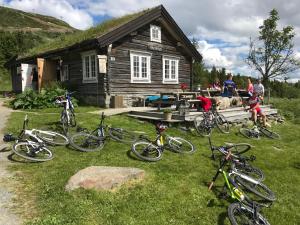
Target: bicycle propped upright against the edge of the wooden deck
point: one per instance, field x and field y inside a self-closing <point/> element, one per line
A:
<point x="208" y="120"/>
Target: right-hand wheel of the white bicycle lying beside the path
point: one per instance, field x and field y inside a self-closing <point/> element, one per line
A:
<point x="52" y="138"/>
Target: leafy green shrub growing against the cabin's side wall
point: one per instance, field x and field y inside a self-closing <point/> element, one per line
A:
<point x="30" y="99"/>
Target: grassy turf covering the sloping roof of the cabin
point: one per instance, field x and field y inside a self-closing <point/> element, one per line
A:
<point x="80" y="36"/>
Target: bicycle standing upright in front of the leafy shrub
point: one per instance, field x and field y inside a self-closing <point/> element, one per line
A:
<point x="67" y="117"/>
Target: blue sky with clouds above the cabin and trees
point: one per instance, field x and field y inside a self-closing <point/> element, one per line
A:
<point x="222" y="28"/>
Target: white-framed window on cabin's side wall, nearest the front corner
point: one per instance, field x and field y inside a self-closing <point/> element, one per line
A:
<point x="89" y="67"/>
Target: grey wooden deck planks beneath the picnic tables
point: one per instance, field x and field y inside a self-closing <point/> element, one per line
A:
<point x="236" y="114"/>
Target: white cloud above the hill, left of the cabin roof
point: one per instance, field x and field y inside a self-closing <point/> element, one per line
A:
<point x="60" y="9"/>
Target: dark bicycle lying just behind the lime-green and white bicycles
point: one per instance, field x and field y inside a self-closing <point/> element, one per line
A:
<point x="239" y="161"/>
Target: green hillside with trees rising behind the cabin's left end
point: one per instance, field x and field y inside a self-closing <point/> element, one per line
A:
<point x="21" y="31"/>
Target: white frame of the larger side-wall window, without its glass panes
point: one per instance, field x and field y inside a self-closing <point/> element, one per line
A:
<point x="87" y="78"/>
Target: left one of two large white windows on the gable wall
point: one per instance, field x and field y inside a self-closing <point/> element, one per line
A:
<point x="140" y="67"/>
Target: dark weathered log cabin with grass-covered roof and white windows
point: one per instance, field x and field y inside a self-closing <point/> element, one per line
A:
<point x="133" y="56"/>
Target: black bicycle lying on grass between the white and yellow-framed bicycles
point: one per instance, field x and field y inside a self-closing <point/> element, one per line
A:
<point x="93" y="141"/>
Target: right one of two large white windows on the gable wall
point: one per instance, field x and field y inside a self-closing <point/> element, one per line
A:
<point x="170" y="70"/>
